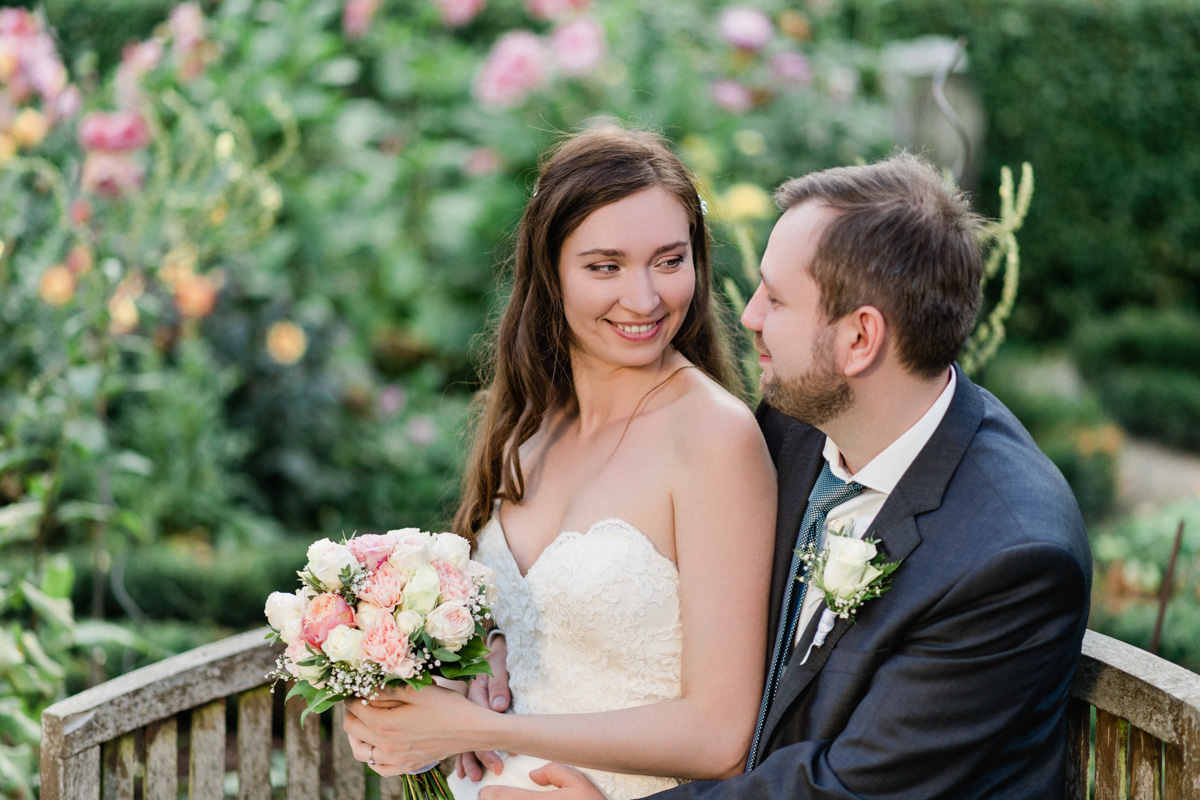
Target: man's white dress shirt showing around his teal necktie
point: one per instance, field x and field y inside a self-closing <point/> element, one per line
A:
<point x="880" y="477"/>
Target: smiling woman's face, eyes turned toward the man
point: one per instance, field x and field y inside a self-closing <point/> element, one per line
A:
<point x="628" y="279"/>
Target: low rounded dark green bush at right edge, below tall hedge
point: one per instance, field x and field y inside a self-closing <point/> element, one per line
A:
<point x="1144" y="368"/>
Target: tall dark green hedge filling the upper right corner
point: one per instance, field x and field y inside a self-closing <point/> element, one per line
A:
<point x="1102" y="99"/>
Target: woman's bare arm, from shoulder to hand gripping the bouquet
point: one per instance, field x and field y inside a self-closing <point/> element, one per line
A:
<point x="725" y="512"/>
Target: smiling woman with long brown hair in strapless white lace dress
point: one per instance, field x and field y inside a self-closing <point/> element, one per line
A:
<point x="625" y="498"/>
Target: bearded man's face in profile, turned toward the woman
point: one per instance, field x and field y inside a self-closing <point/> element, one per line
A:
<point x="797" y="348"/>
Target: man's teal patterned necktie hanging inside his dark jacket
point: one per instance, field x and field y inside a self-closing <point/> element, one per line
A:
<point x="829" y="494"/>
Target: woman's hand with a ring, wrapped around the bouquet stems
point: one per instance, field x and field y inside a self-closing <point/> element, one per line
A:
<point x="404" y="731"/>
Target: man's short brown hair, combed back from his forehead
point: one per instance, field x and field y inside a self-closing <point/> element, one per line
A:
<point x="902" y="240"/>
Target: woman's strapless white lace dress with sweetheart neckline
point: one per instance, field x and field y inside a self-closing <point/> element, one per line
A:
<point x="595" y="627"/>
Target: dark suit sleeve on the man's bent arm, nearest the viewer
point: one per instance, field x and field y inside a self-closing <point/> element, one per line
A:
<point x="974" y="681"/>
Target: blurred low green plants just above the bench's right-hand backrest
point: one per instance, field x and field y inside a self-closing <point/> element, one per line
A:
<point x="1131" y="563"/>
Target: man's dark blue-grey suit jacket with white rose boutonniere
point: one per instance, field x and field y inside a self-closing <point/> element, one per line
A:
<point x="955" y="683"/>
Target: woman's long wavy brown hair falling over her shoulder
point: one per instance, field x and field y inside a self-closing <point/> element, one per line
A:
<point x="530" y="366"/>
